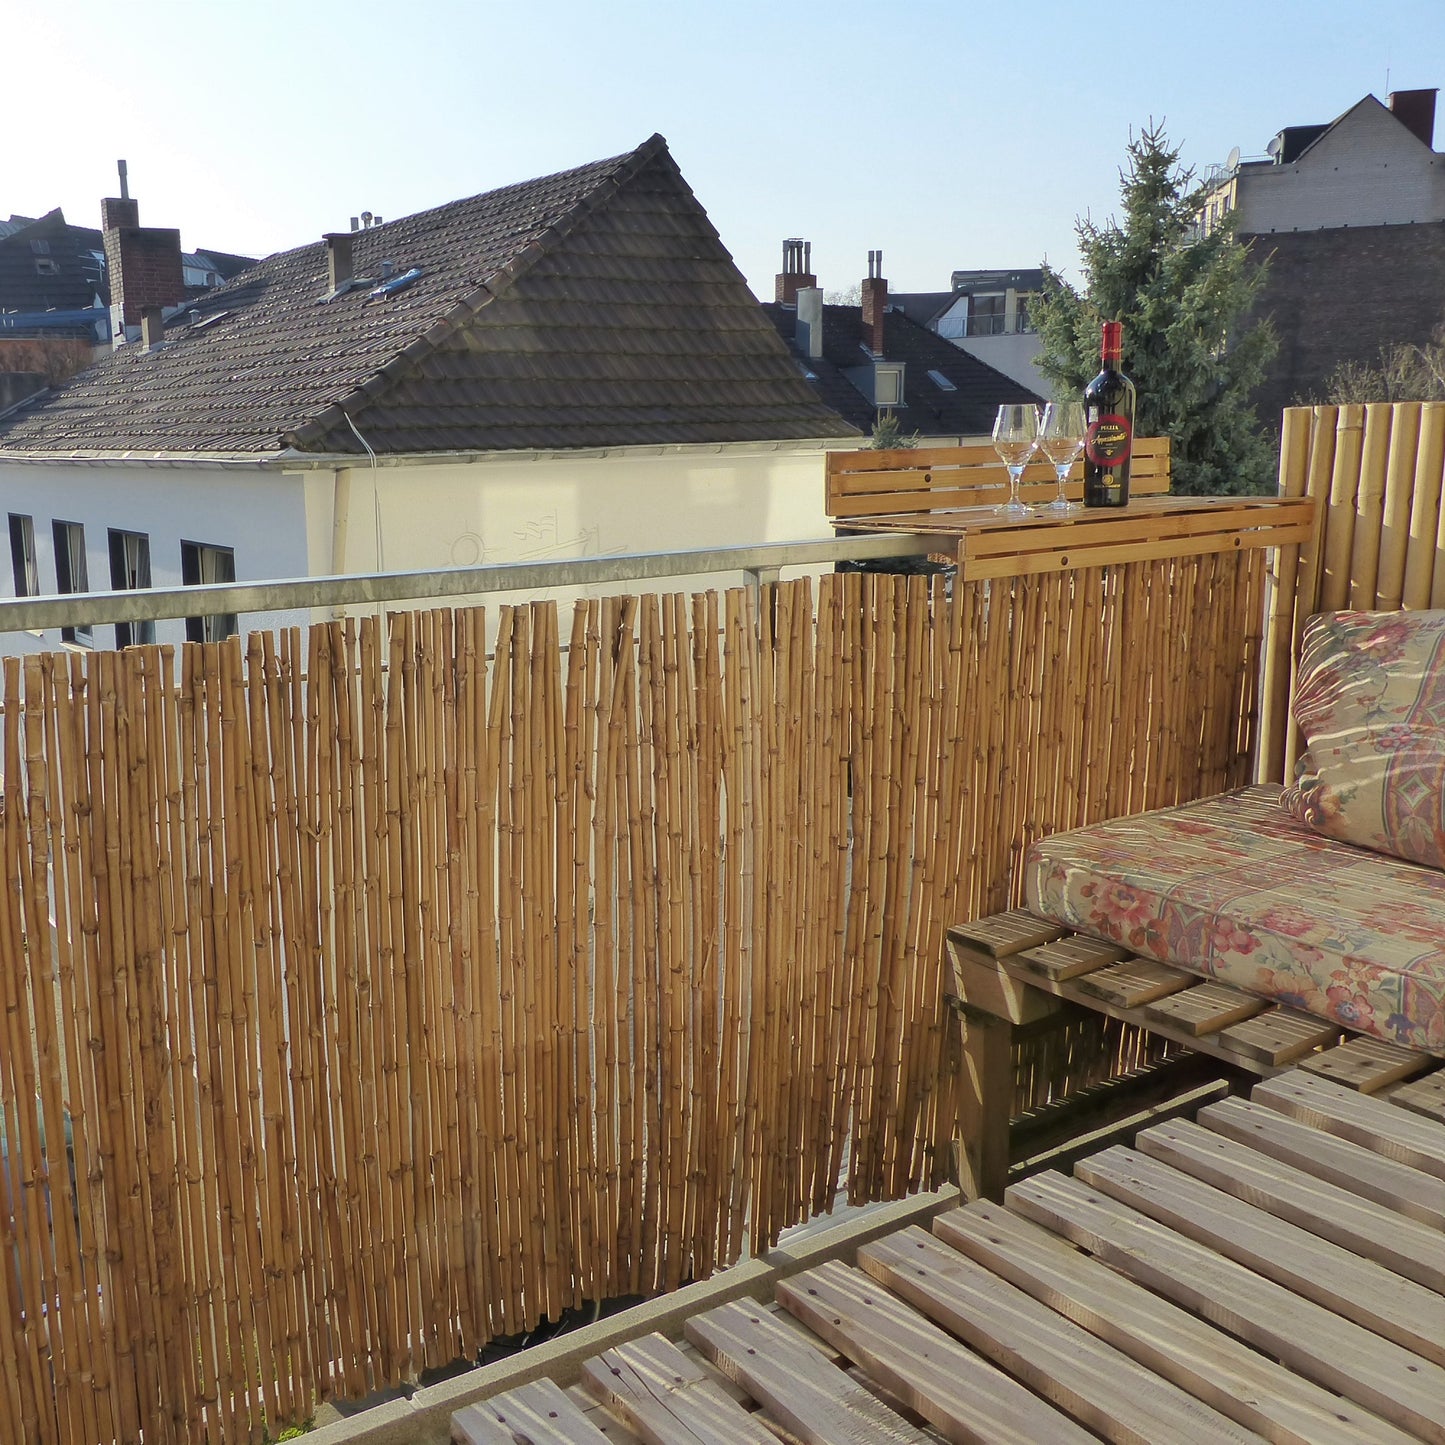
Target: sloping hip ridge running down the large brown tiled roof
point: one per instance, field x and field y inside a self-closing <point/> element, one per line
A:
<point x="470" y="306"/>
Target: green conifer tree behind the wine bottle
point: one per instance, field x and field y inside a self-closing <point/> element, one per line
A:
<point x="1184" y="301"/>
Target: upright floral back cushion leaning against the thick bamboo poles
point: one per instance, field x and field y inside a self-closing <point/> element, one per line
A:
<point x="1371" y="699"/>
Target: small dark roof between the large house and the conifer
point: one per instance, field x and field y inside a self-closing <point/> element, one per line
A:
<point x="930" y="410"/>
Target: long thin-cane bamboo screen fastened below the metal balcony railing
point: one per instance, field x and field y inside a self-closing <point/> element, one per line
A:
<point x="401" y="995"/>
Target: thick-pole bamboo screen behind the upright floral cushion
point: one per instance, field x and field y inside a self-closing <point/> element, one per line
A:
<point x="1376" y="475"/>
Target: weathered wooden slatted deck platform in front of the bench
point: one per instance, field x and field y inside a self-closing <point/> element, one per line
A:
<point x="1271" y="1269"/>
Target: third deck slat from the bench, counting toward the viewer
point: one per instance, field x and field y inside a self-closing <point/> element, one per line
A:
<point x="1411" y="1249"/>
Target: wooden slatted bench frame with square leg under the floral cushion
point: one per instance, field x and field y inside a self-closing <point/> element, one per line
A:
<point x="1014" y="970"/>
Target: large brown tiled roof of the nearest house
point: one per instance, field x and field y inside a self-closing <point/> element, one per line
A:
<point x="592" y="309"/>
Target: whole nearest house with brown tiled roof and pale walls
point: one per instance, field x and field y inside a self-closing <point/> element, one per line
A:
<point x="564" y="368"/>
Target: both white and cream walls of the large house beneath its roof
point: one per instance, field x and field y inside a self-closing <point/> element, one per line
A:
<point x="423" y="517"/>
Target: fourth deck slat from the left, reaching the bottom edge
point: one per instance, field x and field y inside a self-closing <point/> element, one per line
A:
<point x="963" y="1397"/>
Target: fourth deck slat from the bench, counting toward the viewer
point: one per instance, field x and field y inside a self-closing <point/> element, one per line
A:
<point x="1314" y="1268"/>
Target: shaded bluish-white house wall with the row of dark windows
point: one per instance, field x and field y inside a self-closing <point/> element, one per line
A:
<point x="259" y="515"/>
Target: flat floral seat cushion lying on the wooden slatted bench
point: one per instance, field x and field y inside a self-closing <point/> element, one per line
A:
<point x="1236" y="889"/>
